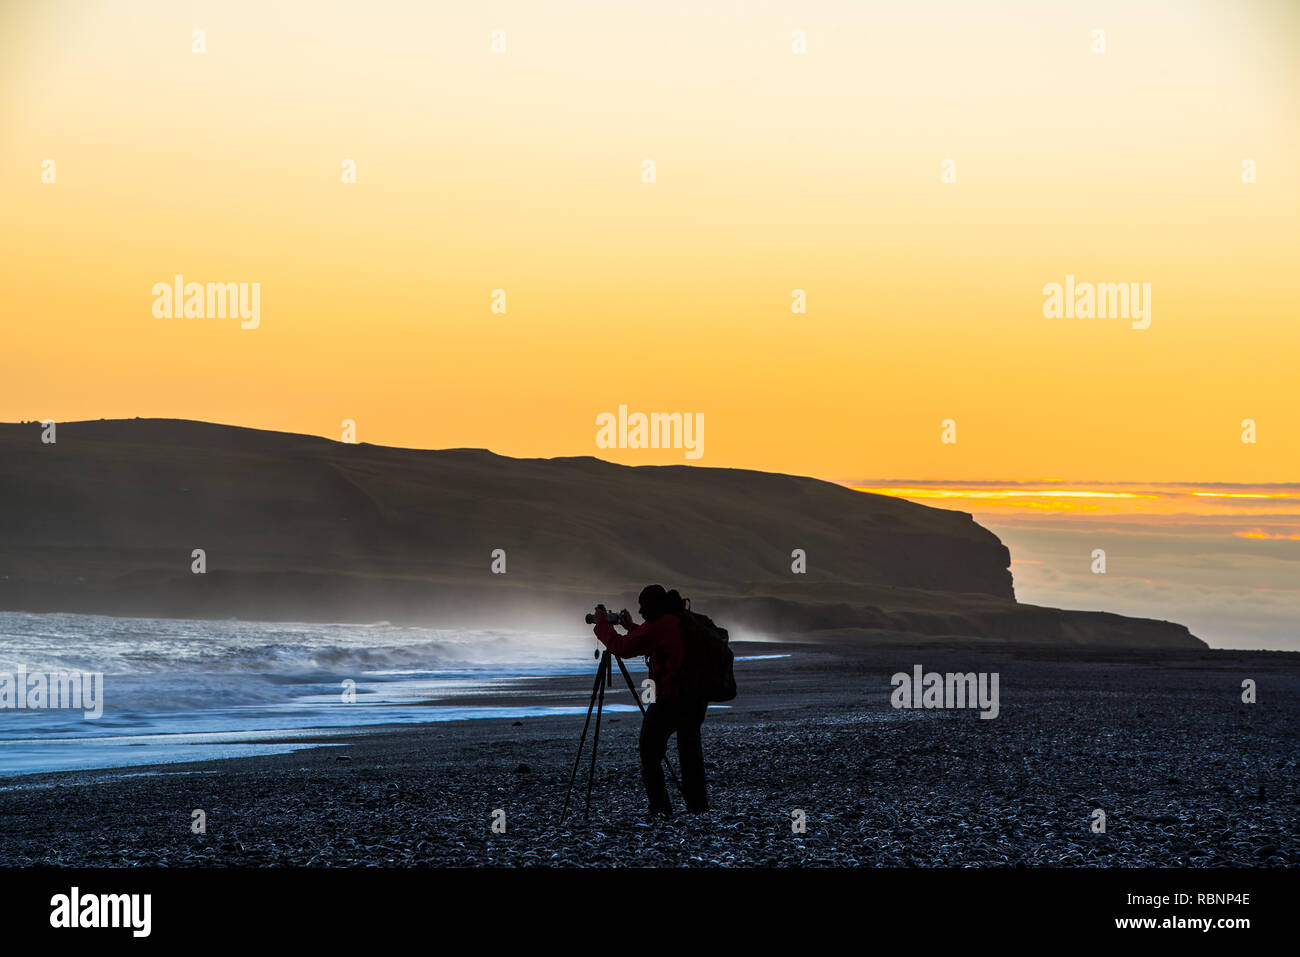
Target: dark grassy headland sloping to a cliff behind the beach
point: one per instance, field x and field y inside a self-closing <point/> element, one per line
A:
<point x="106" y="521"/>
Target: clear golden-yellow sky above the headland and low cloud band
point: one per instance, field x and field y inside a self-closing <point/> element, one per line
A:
<point x="775" y="172"/>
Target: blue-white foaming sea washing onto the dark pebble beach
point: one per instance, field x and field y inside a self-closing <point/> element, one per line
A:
<point x="177" y="690"/>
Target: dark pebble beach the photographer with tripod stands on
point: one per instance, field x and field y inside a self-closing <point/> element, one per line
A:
<point x="1186" y="774"/>
